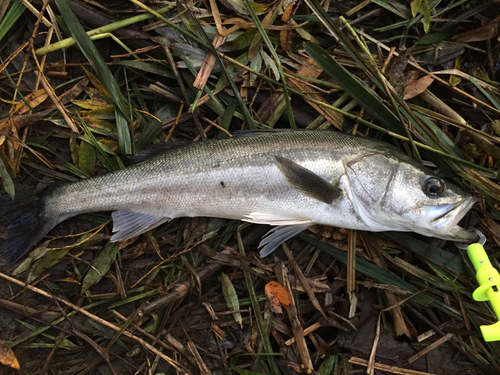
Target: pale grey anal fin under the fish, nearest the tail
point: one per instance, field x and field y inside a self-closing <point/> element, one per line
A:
<point x="127" y="224"/>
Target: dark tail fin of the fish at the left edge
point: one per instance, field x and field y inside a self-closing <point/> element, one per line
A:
<point x="23" y="223"/>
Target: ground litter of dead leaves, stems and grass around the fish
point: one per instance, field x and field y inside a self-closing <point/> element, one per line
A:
<point x="84" y="85"/>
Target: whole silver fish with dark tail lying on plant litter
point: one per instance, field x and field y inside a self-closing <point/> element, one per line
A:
<point x="287" y="179"/>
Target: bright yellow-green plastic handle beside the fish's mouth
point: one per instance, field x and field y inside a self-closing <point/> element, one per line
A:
<point x="489" y="288"/>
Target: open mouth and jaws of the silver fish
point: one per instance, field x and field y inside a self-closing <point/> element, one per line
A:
<point x="444" y="221"/>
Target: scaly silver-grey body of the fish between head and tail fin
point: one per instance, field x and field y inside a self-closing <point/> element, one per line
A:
<point x="196" y="180"/>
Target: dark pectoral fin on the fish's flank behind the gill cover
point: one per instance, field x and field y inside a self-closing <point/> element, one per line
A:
<point x="307" y="182"/>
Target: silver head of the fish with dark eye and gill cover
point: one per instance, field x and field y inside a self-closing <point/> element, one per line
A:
<point x="393" y="194"/>
